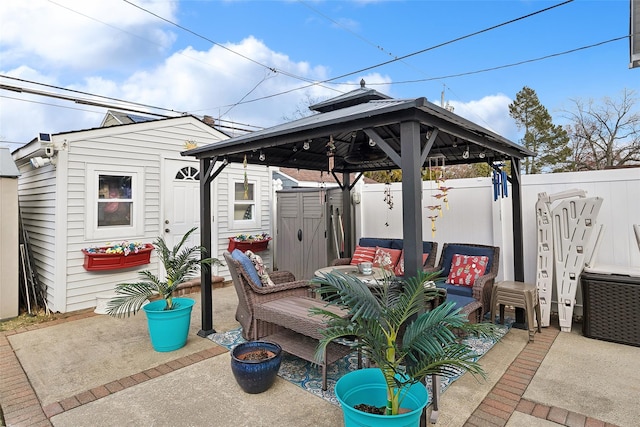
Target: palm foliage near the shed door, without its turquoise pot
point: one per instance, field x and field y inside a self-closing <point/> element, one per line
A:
<point x="180" y="264"/>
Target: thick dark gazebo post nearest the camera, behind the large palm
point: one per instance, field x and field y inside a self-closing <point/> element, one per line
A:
<point x="411" y="196"/>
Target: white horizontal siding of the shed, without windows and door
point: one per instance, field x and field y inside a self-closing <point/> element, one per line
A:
<point x="54" y="201"/>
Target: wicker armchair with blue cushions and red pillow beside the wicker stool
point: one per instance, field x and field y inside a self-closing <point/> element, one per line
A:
<point x="479" y="295"/>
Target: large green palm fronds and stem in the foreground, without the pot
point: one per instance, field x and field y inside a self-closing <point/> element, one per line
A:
<point x="395" y="330"/>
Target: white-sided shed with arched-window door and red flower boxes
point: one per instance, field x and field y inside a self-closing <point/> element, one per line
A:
<point x="71" y="183"/>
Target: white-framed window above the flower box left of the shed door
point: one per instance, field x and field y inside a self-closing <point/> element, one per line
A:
<point x="114" y="202"/>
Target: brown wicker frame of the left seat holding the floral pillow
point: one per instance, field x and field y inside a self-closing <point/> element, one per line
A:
<point x="250" y="294"/>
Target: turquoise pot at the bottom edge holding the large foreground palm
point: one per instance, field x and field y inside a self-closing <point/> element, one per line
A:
<point x="368" y="386"/>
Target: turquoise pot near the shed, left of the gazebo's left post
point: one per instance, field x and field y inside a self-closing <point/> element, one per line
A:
<point x="168" y="329"/>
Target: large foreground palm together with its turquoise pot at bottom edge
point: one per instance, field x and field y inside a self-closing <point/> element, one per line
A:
<point x="400" y="336"/>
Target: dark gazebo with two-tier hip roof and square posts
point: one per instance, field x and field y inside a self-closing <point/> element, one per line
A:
<point x="365" y="130"/>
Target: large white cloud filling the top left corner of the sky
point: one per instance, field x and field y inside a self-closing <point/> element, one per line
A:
<point x="80" y="34"/>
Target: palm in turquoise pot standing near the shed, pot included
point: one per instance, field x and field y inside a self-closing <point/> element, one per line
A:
<point x="168" y="317"/>
